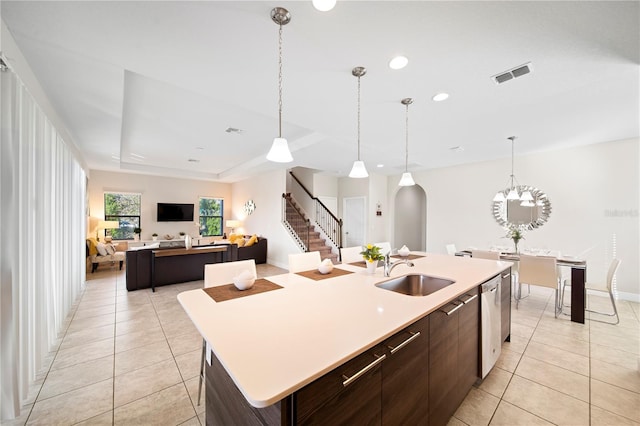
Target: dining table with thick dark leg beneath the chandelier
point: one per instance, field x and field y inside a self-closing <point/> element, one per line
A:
<point x="578" y="277"/>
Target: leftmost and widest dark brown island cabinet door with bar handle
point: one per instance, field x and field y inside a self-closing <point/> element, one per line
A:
<point x="348" y="395"/>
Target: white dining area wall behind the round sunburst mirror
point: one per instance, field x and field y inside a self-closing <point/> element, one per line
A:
<point x="594" y="198"/>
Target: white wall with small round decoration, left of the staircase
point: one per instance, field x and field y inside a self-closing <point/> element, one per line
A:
<point x="266" y="191"/>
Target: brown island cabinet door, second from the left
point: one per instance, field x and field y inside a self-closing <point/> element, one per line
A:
<point x="405" y="376"/>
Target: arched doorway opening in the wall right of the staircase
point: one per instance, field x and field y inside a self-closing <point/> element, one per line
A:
<point x="410" y="218"/>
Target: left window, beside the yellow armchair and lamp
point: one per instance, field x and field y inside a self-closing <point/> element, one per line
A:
<point x="125" y="208"/>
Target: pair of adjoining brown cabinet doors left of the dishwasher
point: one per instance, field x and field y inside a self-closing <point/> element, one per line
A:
<point x="453" y="355"/>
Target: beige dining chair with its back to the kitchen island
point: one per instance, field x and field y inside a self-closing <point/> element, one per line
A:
<point x="541" y="271"/>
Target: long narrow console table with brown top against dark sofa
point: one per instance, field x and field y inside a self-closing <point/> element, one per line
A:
<point x="172" y="266"/>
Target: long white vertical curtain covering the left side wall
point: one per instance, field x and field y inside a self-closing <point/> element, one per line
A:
<point x="42" y="240"/>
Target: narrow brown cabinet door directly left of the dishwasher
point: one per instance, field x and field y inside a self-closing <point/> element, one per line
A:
<point x="468" y="343"/>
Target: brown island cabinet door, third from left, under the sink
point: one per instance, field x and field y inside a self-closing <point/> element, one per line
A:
<point x="443" y="363"/>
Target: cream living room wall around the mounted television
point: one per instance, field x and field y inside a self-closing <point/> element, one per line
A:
<point x="156" y="189"/>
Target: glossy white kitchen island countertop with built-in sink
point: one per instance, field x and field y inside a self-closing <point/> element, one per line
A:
<point x="276" y="342"/>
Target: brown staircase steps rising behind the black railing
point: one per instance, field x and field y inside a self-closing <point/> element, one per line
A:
<point x="300" y="226"/>
